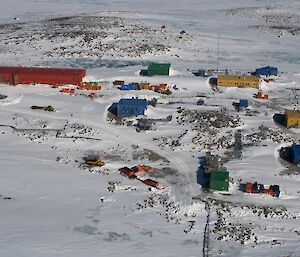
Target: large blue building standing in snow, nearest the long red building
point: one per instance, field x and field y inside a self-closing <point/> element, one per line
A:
<point x="131" y="107"/>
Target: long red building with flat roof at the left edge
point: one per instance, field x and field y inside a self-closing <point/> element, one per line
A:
<point x="33" y="75"/>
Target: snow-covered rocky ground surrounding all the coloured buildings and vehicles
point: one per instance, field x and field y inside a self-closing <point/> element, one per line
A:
<point x="52" y="205"/>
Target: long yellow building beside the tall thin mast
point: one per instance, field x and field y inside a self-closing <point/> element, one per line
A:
<point x="238" y="81"/>
